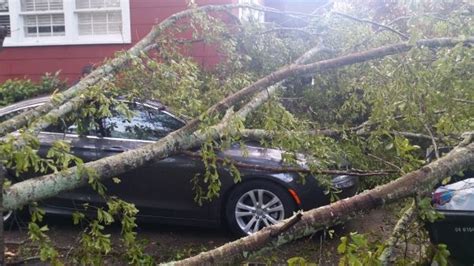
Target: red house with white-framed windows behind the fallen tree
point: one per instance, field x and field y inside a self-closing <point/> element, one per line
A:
<point x="52" y="35"/>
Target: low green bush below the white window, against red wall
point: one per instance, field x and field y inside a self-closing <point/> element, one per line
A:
<point x="16" y="90"/>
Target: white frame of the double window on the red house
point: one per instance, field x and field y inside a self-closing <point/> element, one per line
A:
<point x="71" y="37"/>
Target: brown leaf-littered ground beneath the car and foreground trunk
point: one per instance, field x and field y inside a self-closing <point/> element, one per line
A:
<point x="167" y="243"/>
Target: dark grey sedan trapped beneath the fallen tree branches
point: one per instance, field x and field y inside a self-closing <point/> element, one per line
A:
<point x="162" y="190"/>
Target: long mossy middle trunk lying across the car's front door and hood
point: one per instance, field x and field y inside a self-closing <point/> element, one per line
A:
<point x="186" y="138"/>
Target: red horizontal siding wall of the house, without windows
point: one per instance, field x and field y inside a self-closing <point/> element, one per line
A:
<point x="33" y="62"/>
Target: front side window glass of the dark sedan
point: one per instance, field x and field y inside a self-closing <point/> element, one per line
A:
<point x="146" y="123"/>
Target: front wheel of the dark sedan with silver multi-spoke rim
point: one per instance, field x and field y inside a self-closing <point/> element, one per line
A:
<point x="256" y="204"/>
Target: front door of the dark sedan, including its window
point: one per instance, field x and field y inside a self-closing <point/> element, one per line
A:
<point x="161" y="188"/>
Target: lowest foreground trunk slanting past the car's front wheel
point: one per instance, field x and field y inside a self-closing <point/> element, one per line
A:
<point x="417" y="182"/>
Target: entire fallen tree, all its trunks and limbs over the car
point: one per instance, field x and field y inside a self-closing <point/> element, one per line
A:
<point x="251" y="99"/>
